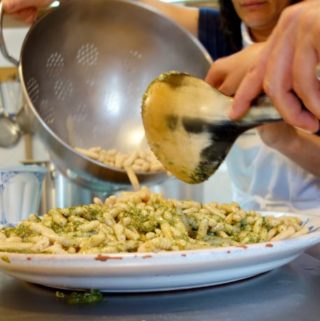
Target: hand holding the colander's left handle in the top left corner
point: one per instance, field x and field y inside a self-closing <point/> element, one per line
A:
<point x="25" y="10"/>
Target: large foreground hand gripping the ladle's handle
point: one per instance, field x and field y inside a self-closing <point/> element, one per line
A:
<point x="286" y="66"/>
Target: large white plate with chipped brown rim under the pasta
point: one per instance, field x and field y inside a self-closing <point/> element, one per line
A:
<point x="147" y="272"/>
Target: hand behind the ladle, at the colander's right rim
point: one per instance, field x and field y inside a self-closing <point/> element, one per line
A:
<point x="226" y="74"/>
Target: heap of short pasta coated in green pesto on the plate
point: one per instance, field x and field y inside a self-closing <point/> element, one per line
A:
<point x="142" y="221"/>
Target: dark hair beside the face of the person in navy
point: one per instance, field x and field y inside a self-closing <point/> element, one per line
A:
<point x="230" y="22"/>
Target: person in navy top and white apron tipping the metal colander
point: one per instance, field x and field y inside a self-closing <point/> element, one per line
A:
<point x="262" y="177"/>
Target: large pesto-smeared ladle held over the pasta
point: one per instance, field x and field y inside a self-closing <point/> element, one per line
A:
<point x="187" y="125"/>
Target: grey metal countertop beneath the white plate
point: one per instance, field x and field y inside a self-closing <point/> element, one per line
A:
<point x="290" y="293"/>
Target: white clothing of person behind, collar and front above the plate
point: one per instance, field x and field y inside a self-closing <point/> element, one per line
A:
<point x="264" y="179"/>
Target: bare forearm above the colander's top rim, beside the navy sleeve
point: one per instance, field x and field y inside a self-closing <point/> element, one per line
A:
<point x="187" y="17"/>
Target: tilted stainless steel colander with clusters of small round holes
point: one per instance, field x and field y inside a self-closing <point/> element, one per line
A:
<point x="84" y="68"/>
